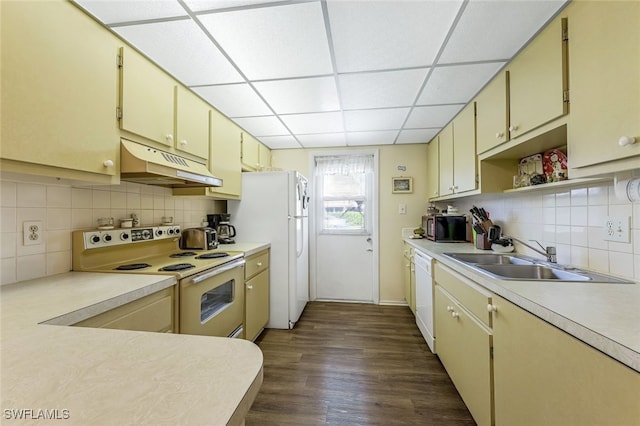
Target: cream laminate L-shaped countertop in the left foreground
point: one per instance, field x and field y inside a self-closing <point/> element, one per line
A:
<point x="89" y="376"/>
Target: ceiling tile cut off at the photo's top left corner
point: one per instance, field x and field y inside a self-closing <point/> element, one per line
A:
<point x="109" y="11"/>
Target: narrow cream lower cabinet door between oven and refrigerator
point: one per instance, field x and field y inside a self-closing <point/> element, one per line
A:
<point x="257" y="304"/>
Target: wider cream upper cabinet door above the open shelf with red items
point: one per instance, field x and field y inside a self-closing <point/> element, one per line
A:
<point x="537" y="81"/>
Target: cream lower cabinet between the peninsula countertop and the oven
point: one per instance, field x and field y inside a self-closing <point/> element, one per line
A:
<point x="151" y="313"/>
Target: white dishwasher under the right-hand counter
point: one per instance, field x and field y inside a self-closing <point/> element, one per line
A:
<point x="424" y="297"/>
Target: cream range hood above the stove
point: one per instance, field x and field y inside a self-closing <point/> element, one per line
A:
<point x="151" y="166"/>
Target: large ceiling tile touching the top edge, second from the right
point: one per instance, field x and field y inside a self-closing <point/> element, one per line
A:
<point x="376" y="35"/>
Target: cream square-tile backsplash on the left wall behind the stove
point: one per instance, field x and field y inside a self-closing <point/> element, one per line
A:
<point x="65" y="207"/>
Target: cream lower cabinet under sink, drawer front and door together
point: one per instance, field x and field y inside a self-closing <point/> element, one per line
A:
<point x="464" y="340"/>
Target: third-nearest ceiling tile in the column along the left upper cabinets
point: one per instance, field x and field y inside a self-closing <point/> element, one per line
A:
<point x="234" y="100"/>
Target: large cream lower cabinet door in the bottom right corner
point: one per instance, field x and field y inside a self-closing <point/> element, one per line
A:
<point x="543" y="376"/>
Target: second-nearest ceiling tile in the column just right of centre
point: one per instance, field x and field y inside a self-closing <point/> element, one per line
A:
<point x="381" y="89"/>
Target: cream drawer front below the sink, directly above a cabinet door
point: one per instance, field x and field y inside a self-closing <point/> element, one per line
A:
<point x="471" y="295"/>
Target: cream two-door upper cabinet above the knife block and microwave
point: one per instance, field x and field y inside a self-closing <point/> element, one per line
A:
<point x="457" y="154"/>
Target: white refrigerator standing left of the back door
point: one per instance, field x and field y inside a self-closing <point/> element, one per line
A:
<point x="274" y="208"/>
